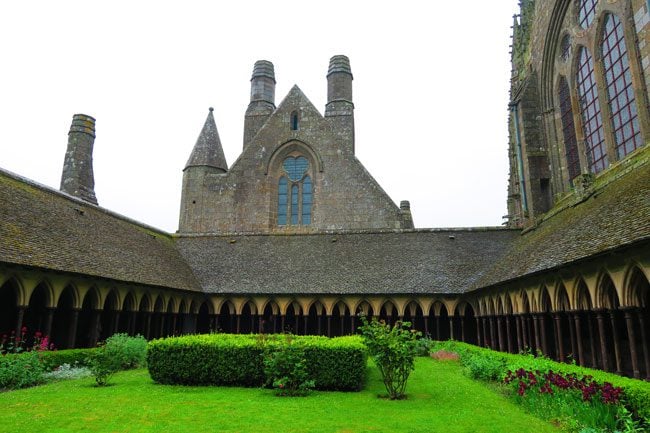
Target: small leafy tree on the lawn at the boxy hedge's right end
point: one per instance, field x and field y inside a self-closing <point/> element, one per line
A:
<point x="393" y="350"/>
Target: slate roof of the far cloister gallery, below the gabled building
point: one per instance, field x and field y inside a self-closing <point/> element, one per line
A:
<point x="392" y="262"/>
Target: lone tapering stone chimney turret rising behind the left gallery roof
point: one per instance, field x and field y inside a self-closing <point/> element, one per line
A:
<point x="77" y="178"/>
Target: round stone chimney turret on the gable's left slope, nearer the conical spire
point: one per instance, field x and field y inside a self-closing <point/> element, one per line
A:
<point x="262" y="102"/>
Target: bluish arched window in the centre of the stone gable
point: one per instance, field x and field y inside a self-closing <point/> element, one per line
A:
<point x="295" y="192"/>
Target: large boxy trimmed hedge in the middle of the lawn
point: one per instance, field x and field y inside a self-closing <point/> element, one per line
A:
<point x="237" y="360"/>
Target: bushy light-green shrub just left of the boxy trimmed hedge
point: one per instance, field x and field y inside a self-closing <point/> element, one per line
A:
<point x="119" y="352"/>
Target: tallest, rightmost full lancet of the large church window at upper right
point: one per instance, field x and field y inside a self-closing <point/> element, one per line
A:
<point x="620" y="93"/>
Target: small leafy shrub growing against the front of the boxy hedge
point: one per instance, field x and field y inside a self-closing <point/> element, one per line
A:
<point x="286" y="371"/>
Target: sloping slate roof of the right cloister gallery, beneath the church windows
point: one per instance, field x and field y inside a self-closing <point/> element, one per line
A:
<point x="615" y="216"/>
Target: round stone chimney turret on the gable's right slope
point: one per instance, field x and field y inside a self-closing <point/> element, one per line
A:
<point x="340" y="109"/>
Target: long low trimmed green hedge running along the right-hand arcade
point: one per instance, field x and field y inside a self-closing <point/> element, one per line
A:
<point x="636" y="393"/>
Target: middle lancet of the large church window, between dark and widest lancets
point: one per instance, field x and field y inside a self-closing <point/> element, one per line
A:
<point x="592" y="122"/>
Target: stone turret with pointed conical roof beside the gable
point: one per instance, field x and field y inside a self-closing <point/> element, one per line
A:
<point x="207" y="160"/>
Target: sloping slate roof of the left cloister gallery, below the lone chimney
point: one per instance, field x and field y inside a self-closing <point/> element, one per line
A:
<point x="44" y="228"/>
